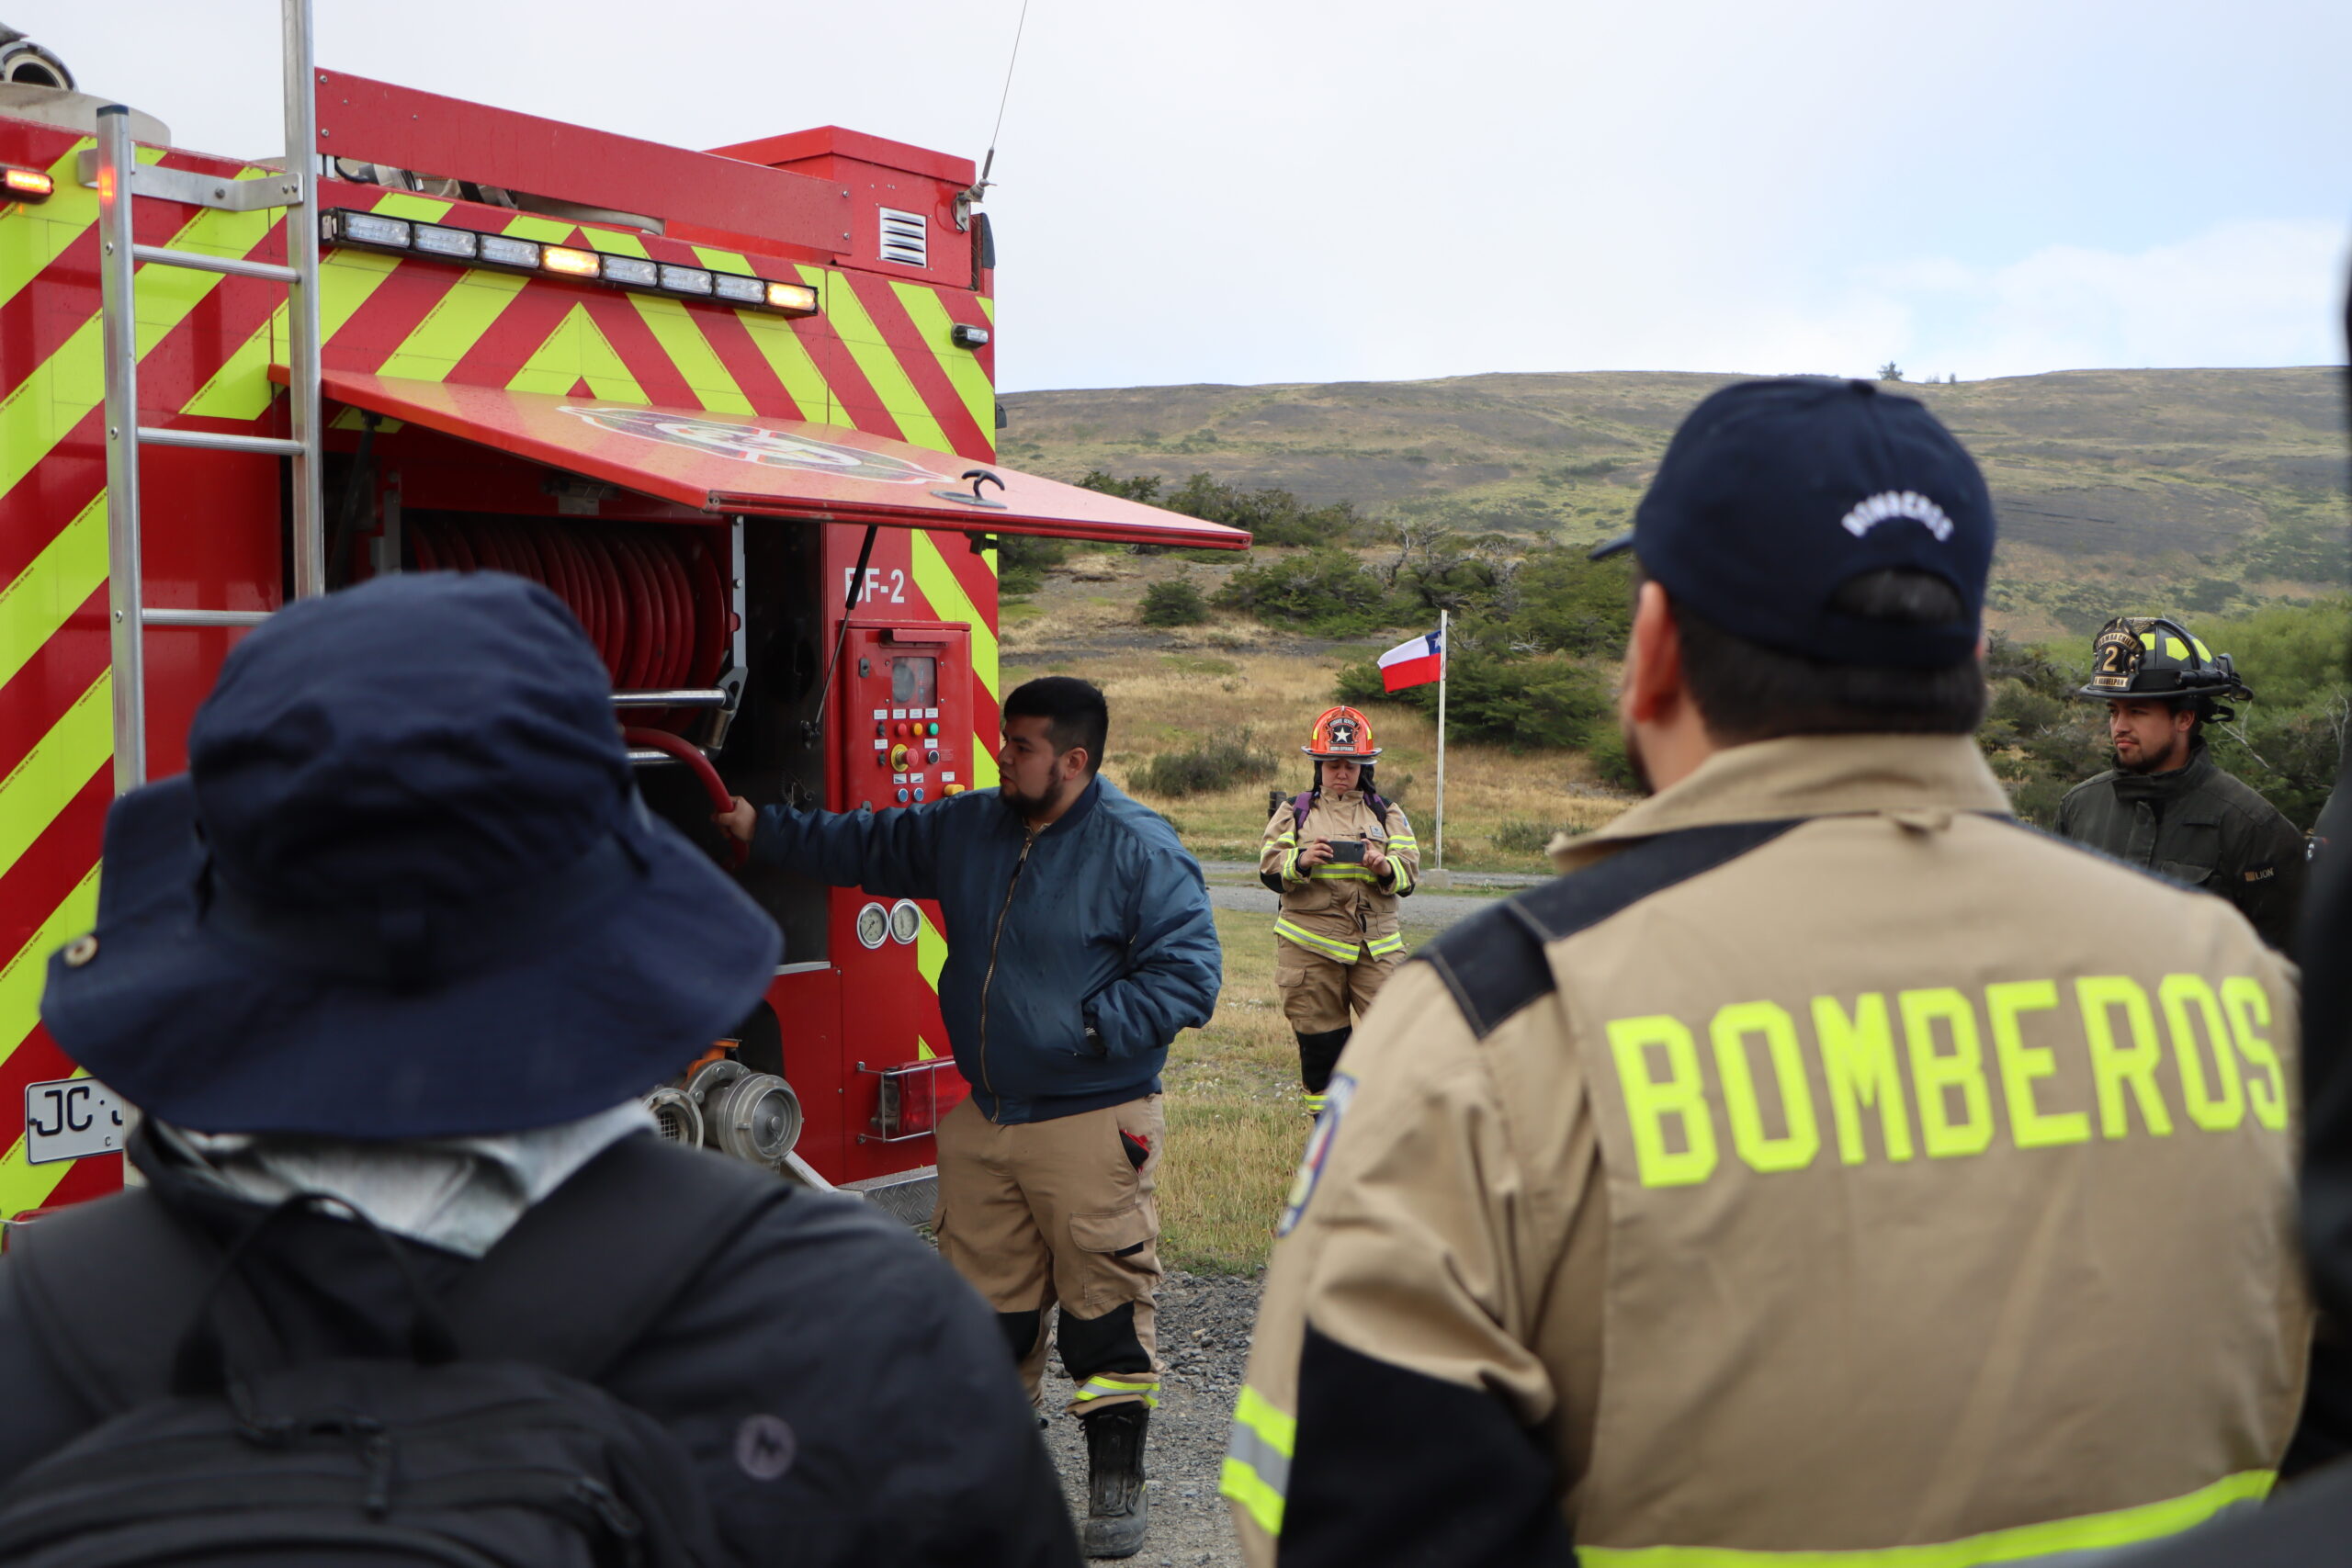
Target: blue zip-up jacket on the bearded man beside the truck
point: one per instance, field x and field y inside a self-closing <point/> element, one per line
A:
<point x="1097" y="923"/>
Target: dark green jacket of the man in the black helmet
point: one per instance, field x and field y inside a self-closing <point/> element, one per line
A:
<point x="2203" y="829"/>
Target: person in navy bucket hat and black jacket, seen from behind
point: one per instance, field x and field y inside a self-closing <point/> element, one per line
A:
<point x="406" y="937"/>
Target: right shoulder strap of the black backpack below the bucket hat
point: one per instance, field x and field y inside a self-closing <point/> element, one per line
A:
<point x="627" y="1235"/>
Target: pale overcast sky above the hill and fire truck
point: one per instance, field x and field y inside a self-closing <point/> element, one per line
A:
<point x="1368" y="189"/>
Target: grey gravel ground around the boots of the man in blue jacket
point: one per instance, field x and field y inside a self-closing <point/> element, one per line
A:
<point x="1205" y="1348"/>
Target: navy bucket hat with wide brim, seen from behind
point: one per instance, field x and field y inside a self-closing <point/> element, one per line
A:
<point x="406" y="890"/>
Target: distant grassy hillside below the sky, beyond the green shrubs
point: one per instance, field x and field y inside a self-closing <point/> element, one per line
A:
<point x="2172" y="490"/>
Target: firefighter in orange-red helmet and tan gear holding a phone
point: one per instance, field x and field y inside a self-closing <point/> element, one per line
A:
<point x="1342" y="859"/>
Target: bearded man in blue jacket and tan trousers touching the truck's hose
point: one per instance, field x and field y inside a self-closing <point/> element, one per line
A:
<point x="1078" y="946"/>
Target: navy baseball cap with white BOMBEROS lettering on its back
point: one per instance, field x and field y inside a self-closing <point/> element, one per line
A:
<point x="1779" y="492"/>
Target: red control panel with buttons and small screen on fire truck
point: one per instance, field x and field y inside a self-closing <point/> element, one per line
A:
<point x="907" y="716"/>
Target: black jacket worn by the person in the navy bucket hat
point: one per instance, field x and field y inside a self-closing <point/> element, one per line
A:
<point x="916" y="1445"/>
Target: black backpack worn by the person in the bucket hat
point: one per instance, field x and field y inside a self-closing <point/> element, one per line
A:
<point x="488" y="1447"/>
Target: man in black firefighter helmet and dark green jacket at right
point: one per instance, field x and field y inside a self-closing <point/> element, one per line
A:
<point x="2167" y="805"/>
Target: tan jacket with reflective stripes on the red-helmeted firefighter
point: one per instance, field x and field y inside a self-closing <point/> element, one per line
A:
<point x="1339" y="909"/>
